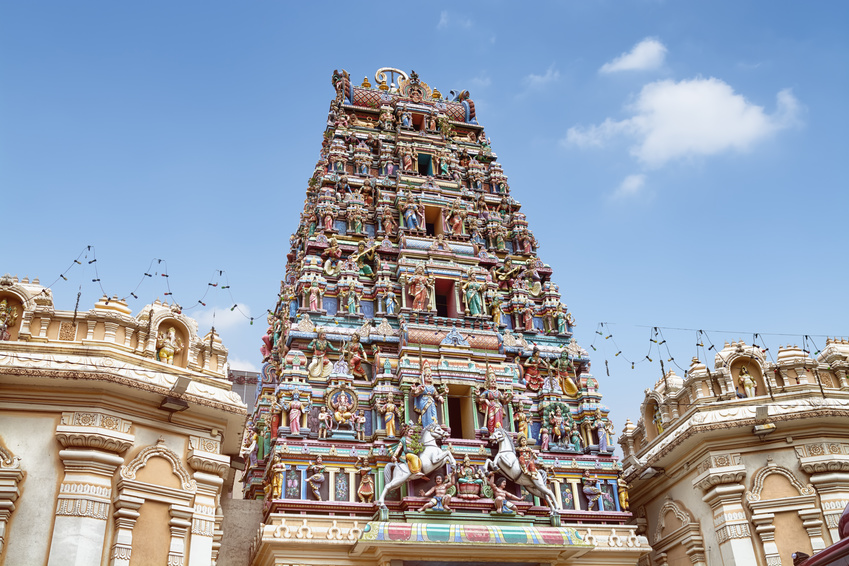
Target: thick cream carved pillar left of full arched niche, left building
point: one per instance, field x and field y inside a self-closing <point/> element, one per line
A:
<point x="91" y="442"/>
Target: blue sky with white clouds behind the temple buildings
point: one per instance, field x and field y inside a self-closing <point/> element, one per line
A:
<point x="681" y="163"/>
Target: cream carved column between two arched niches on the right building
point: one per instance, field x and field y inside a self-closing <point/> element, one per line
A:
<point x="721" y="482"/>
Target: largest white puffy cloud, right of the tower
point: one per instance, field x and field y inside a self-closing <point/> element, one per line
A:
<point x="690" y="118"/>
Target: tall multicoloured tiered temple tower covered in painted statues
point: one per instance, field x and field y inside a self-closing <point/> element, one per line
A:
<point x="418" y="338"/>
